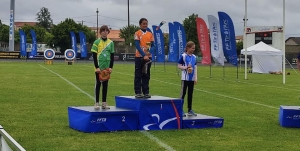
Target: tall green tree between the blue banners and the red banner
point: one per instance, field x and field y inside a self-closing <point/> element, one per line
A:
<point x="191" y="31"/>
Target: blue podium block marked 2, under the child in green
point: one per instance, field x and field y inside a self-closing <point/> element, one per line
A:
<point x="87" y="119"/>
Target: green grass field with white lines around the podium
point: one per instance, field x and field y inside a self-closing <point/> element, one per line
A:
<point x="34" y="98"/>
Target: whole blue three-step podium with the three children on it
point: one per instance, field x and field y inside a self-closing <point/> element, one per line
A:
<point x="130" y="113"/>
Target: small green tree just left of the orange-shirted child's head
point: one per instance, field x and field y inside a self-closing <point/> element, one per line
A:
<point x="124" y="33"/>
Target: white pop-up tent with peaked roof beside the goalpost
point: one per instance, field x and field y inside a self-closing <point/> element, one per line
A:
<point x="265" y="58"/>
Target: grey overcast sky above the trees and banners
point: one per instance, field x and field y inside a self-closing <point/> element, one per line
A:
<point x="114" y="12"/>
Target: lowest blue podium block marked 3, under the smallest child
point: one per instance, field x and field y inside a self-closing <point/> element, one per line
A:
<point x="202" y="121"/>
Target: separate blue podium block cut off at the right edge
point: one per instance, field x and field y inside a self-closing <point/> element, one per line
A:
<point x="289" y="116"/>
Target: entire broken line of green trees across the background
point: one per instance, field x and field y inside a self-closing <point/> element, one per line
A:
<point x="59" y="35"/>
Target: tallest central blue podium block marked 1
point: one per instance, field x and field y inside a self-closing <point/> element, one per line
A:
<point x="155" y="113"/>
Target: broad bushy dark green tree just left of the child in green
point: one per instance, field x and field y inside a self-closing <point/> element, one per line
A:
<point x="61" y="34"/>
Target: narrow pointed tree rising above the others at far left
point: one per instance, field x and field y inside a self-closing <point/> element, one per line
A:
<point x="44" y="18"/>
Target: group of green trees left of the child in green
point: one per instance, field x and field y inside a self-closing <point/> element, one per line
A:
<point x="48" y="33"/>
